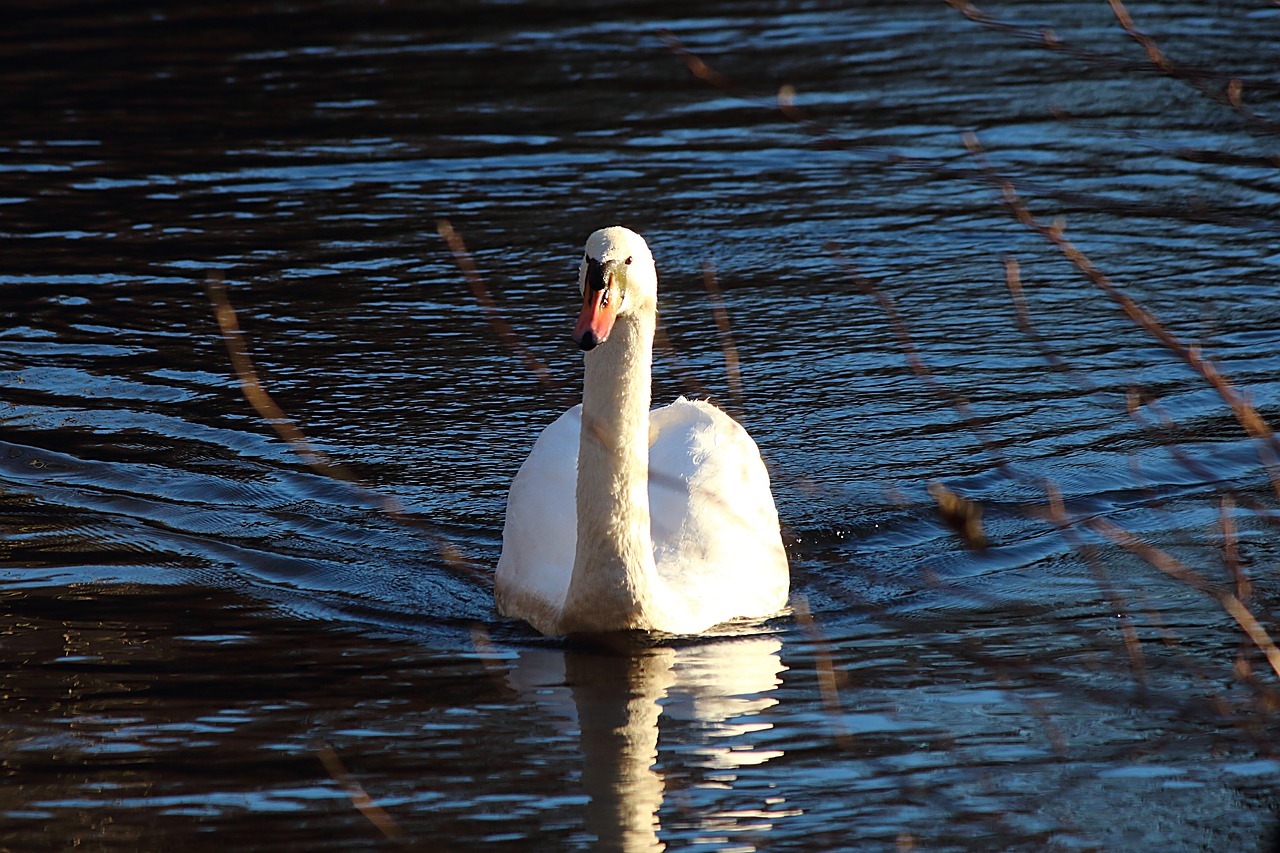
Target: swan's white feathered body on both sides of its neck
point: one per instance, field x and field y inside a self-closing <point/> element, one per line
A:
<point x="716" y="541"/>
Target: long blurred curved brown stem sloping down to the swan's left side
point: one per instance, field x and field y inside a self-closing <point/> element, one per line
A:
<point x="255" y="393"/>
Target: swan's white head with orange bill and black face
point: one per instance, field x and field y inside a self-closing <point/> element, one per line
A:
<point x="618" y="279"/>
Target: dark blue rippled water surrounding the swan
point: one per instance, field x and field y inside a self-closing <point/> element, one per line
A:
<point x="211" y="646"/>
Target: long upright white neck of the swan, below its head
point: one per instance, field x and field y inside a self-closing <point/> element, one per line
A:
<point x="614" y="580"/>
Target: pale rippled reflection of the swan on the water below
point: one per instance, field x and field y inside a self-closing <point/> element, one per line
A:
<point x="616" y="700"/>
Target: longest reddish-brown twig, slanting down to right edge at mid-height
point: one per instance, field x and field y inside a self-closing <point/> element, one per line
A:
<point x="1246" y="414"/>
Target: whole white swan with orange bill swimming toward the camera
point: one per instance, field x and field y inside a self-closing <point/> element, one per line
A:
<point x="628" y="519"/>
